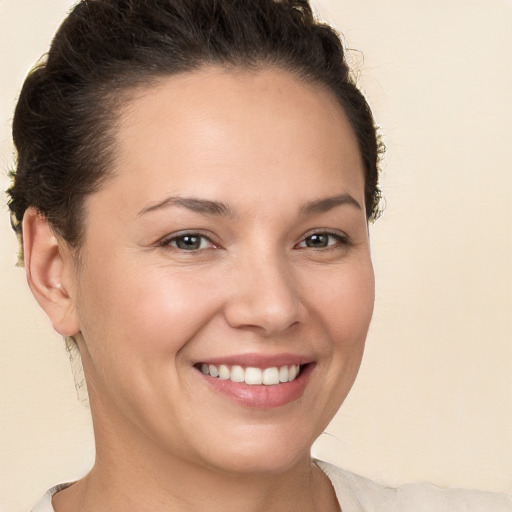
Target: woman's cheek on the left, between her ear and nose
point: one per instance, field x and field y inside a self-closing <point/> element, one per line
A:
<point x="153" y="309"/>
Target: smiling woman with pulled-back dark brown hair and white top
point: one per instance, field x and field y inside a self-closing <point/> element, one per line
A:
<point x="193" y="190"/>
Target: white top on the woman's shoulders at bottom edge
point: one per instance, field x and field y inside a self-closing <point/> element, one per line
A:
<point x="358" y="494"/>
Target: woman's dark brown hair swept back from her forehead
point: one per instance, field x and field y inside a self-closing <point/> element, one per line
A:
<point x="65" y="119"/>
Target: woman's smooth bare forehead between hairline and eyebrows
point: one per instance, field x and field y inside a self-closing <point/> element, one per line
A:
<point x="235" y="133"/>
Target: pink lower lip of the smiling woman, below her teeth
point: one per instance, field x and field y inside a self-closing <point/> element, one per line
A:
<point x="261" y="396"/>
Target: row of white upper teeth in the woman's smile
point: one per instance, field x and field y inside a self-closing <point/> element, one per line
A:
<point x="252" y="375"/>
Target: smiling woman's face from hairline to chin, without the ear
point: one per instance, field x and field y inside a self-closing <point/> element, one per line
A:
<point x="233" y="238"/>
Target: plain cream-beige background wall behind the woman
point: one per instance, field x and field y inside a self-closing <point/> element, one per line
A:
<point x="434" y="396"/>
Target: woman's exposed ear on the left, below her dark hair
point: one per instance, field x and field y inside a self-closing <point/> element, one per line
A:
<point x="50" y="272"/>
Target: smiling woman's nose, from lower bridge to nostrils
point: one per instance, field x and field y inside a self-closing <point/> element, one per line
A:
<point x="263" y="297"/>
